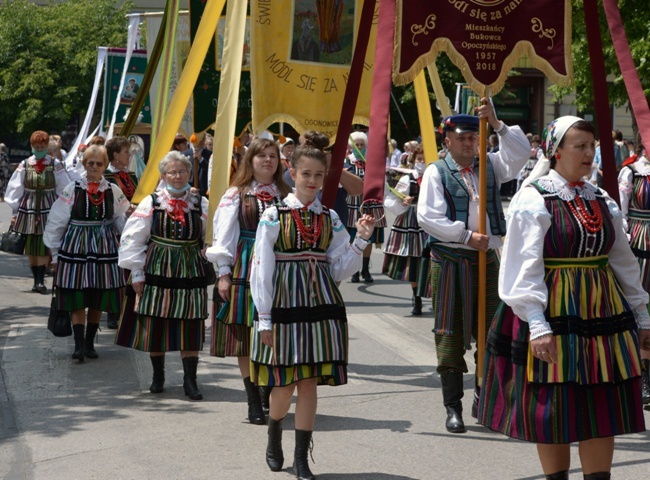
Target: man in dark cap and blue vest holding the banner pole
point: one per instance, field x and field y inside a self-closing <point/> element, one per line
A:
<point x="448" y="212"/>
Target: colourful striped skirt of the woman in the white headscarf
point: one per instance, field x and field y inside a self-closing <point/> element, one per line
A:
<point x="595" y="389"/>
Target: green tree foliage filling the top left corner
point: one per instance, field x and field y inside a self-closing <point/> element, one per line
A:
<point x="48" y="56"/>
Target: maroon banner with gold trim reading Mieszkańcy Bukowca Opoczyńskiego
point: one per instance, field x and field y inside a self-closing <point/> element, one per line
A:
<point x="484" y="38"/>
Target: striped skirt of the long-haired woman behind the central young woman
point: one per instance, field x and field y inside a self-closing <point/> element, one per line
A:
<point x="232" y="321"/>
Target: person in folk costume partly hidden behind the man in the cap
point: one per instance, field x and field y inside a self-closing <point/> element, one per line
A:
<point x="403" y="252"/>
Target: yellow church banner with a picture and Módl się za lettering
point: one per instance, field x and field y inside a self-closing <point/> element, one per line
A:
<point x="300" y="62"/>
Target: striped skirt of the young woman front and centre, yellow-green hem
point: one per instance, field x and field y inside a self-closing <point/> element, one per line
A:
<point x="309" y="326"/>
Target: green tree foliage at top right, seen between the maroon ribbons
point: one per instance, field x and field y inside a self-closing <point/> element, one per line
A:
<point x="636" y="21"/>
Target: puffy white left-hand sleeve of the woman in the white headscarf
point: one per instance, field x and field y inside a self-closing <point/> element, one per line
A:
<point x="521" y="274"/>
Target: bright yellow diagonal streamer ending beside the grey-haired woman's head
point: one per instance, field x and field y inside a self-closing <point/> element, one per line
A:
<point x="182" y="95"/>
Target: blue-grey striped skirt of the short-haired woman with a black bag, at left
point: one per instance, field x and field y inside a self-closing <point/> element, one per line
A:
<point x="87" y="275"/>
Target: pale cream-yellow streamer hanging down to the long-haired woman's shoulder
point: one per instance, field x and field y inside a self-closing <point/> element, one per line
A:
<point x="233" y="52"/>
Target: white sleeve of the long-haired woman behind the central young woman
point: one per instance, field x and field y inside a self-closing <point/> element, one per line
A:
<point x="226" y="232"/>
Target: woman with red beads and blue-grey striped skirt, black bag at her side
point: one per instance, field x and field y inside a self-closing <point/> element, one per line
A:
<point x="83" y="238"/>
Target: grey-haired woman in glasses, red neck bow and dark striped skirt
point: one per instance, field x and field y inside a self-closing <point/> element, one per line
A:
<point x="162" y="245"/>
